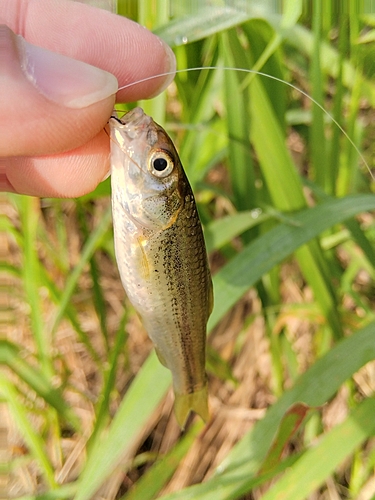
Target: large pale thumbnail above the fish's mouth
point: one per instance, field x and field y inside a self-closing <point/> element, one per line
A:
<point x="66" y="81"/>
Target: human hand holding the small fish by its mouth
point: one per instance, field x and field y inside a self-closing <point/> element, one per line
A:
<point x="53" y="107"/>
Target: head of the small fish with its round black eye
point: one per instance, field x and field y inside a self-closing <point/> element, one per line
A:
<point x="146" y="170"/>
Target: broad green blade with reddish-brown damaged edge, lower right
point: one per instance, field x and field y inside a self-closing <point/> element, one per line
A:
<point x="235" y="476"/>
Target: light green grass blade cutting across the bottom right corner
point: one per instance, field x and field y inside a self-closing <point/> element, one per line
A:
<point x="318" y="463"/>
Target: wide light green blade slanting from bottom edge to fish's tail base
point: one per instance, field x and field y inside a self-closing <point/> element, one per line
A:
<point x="140" y="401"/>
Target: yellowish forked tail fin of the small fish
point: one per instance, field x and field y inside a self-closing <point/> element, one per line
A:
<point x="195" y="401"/>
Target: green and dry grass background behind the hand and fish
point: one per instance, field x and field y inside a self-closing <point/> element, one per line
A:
<point x="287" y="204"/>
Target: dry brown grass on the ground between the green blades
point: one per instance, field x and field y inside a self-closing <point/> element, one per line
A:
<point x="241" y="339"/>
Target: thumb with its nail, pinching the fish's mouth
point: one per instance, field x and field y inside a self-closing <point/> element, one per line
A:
<point x="49" y="103"/>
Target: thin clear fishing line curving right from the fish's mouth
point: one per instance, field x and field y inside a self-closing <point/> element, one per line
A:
<point x="245" y="70"/>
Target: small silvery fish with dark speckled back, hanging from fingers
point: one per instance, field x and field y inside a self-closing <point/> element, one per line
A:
<point x="161" y="253"/>
